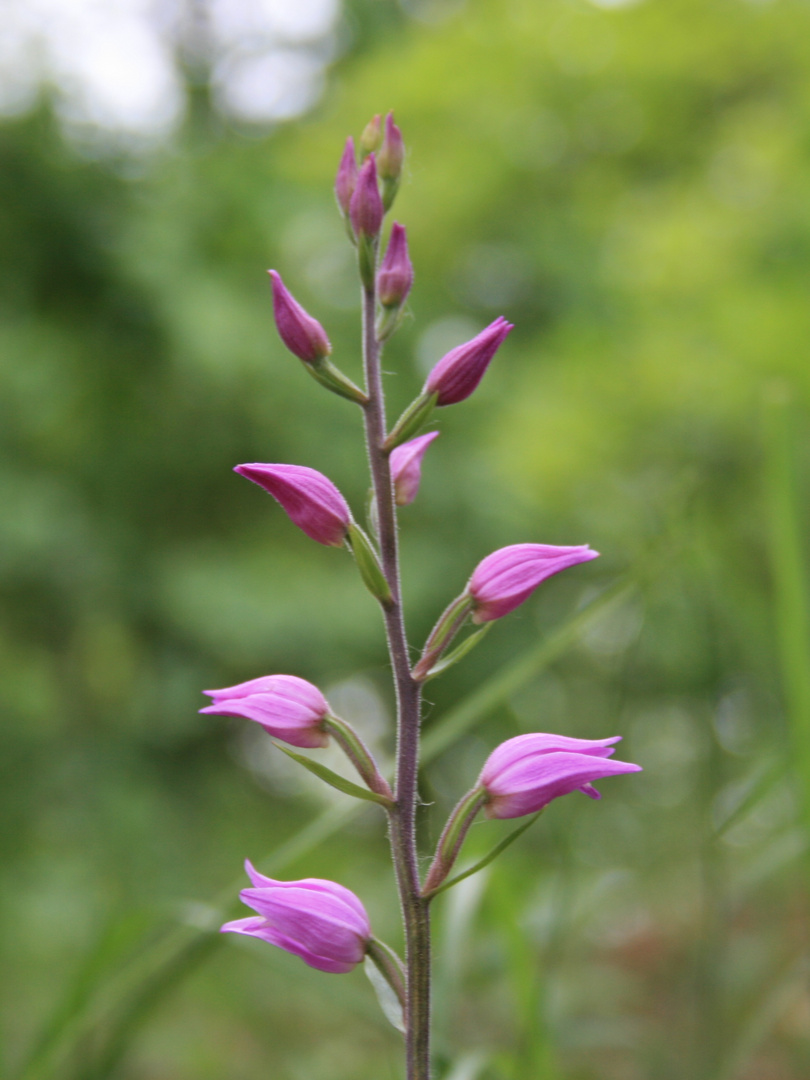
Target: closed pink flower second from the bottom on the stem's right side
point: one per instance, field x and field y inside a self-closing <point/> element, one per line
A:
<point x="505" y="579"/>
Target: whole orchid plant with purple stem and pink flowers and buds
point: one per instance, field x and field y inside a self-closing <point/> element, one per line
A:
<point x="322" y="922"/>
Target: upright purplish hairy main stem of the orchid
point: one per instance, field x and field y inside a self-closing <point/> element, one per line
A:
<point x="415" y="910"/>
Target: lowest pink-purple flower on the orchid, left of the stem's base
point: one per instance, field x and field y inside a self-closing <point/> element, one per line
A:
<point x="321" y="922"/>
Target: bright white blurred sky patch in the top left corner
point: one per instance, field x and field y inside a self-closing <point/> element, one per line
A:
<point x="114" y="63"/>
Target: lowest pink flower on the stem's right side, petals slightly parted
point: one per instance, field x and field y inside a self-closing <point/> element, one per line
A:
<point x="525" y="774"/>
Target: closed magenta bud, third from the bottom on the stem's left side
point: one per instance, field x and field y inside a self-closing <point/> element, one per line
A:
<point x="310" y="499"/>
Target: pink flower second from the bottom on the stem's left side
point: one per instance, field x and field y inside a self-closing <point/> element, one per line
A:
<point x="289" y="708"/>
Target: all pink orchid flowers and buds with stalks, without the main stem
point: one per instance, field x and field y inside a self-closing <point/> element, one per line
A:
<point x="323" y="923"/>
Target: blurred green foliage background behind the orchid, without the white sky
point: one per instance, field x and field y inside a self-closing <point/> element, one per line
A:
<point x="631" y="187"/>
